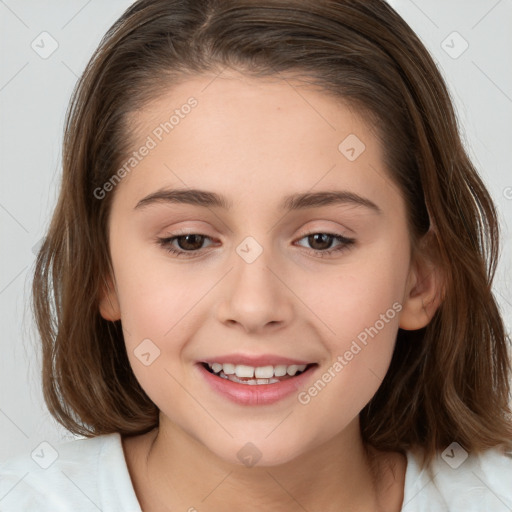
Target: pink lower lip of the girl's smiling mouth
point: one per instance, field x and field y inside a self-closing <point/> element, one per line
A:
<point x="257" y="394"/>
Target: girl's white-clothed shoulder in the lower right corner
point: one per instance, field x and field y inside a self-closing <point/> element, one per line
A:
<point x="459" y="481"/>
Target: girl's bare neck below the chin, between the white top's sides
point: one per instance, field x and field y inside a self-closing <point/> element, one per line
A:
<point x="341" y="474"/>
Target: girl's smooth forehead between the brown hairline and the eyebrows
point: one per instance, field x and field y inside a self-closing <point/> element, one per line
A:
<point x="265" y="136"/>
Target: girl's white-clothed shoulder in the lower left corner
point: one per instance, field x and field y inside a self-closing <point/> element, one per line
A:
<point x="79" y="475"/>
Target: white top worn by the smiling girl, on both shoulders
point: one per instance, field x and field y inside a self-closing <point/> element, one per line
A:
<point x="91" y="475"/>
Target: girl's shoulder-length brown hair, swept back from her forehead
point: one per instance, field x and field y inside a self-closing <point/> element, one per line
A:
<point x="446" y="382"/>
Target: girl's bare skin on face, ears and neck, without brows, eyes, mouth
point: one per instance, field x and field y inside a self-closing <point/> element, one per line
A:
<point x="256" y="141"/>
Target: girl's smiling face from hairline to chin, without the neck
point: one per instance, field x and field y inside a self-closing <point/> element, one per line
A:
<point x="262" y="278"/>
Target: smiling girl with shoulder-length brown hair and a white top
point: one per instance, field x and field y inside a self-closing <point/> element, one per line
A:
<point x="267" y="281"/>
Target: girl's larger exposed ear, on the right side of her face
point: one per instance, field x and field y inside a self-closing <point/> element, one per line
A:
<point x="424" y="291"/>
